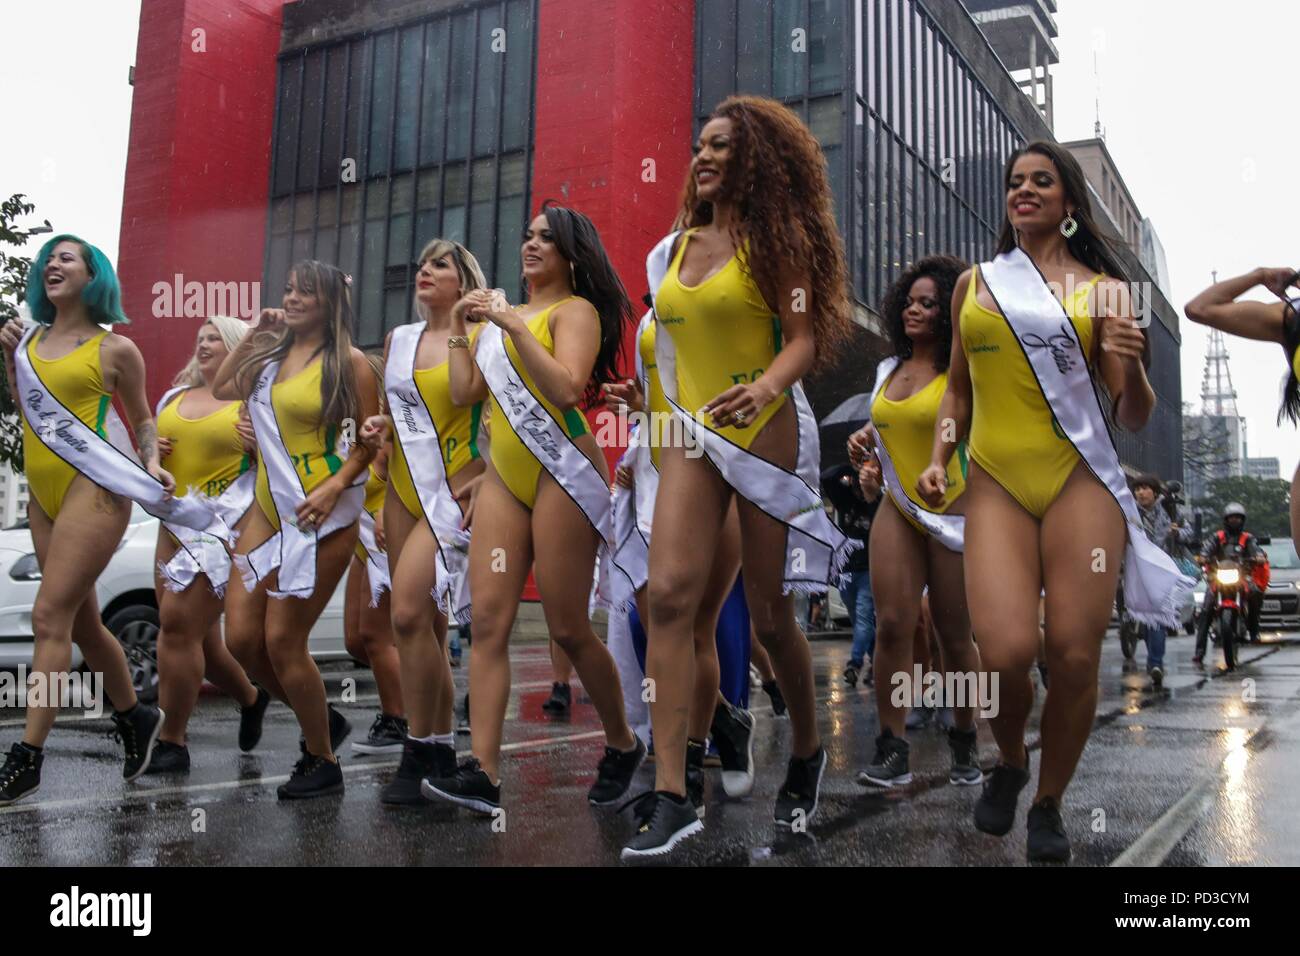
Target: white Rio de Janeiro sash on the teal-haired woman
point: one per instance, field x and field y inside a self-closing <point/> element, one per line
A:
<point x="112" y="465"/>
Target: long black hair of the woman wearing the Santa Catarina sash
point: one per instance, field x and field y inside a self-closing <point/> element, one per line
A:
<point x="596" y="280"/>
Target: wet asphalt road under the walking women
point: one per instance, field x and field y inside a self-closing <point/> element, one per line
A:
<point x="1197" y="775"/>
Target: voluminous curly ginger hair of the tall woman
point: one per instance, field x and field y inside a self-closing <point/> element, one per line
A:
<point x="778" y="180"/>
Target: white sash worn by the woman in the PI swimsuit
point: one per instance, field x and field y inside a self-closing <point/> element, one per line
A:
<point x="293" y="548"/>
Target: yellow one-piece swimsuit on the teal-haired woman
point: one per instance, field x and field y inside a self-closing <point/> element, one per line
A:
<point x="77" y="382"/>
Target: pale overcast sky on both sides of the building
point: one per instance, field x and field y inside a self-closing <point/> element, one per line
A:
<point x="1199" y="100"/>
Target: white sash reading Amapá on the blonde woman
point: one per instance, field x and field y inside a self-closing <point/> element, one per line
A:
<point x="418" y="435"/>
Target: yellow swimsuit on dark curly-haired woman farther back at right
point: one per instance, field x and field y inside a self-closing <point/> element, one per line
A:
<point x="907" y="429"/>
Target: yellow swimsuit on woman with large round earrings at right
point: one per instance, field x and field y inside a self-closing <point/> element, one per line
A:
<point x="1015" y="436"/>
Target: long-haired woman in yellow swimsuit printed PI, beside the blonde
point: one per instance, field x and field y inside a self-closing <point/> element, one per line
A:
<point x="305" y="384"/>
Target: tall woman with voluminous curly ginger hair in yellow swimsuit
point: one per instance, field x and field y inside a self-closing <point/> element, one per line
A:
<point x="749" y="299"/>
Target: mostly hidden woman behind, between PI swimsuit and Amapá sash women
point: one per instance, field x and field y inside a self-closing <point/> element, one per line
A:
<point x="369" y="630"/>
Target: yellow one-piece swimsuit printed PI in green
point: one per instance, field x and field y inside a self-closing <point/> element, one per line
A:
<point x="297" y="404"/>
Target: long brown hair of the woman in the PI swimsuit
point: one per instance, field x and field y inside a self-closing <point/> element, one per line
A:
<point x="339" y="386"/>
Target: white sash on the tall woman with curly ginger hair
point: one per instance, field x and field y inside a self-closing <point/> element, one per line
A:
<point x="816" y="550"/>
